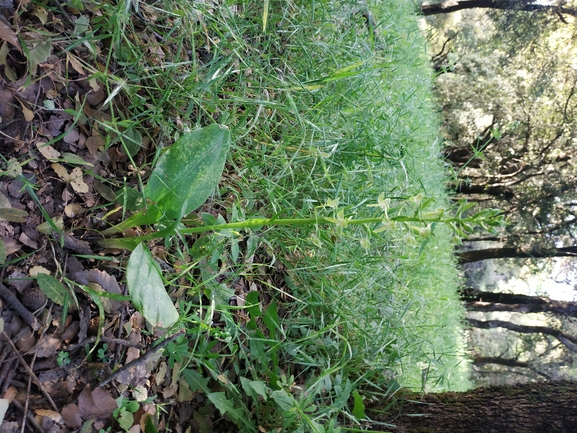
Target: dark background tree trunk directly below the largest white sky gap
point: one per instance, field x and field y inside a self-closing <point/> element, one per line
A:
<point x="490" y="301"/>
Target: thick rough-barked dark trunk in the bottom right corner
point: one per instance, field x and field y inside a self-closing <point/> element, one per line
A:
<point x="528" y="408"/>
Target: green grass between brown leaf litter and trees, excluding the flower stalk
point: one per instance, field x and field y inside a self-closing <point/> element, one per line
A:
<point x="322" y="104"/>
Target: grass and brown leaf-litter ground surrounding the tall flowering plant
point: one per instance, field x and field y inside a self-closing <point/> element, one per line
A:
<point x="90" y="94"/>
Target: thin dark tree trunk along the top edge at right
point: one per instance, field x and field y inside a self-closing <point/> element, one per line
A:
<point x="518" y="5"/>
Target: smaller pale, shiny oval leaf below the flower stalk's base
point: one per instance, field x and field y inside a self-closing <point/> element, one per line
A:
<point x="147" y="291"/>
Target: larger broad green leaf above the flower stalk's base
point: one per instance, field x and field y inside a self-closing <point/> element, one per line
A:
<point x="189" y="170"/>
